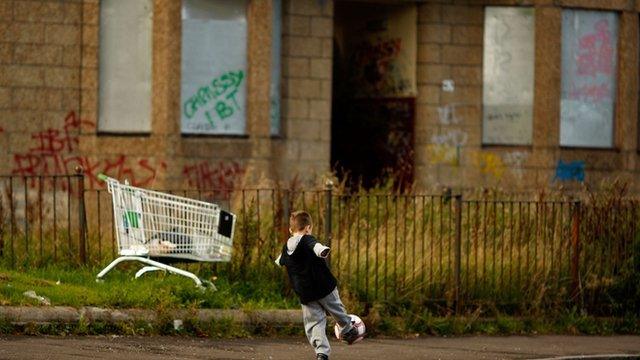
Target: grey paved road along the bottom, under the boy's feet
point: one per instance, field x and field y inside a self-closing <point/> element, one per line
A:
<point x="477" y="347"/>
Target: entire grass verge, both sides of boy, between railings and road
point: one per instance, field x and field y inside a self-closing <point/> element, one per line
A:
<point x="161" y="292"/>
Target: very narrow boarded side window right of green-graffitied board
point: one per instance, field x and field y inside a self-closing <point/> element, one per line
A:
<point x="274" y="87"/>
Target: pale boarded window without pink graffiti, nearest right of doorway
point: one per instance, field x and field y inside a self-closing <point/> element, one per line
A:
<point x="508" y="75"/>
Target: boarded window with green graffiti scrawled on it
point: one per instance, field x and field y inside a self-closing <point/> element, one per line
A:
<point x="214" y="63"/>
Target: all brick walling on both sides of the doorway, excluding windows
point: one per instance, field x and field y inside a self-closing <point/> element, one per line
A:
<point x="49" y="96"/>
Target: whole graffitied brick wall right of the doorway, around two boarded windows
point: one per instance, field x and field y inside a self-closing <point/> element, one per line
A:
<point x="449" y="149"/>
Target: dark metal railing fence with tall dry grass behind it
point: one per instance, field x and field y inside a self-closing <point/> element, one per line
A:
<point x="443" y="250"/>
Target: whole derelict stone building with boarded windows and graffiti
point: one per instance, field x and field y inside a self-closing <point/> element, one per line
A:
<point x="518" y="94"/>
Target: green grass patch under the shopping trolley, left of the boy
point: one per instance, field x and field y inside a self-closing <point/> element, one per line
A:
<point x="69" y="286"/>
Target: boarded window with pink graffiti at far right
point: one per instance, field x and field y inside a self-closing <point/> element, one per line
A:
<point x="589" y="57"/>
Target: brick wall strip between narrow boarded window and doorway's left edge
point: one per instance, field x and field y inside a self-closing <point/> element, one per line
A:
<point x="307" y="46"/>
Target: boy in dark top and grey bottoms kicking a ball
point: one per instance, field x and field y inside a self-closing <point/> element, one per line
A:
<point x="314" y="284"/>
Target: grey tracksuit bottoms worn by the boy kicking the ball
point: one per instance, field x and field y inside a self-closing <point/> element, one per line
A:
<point x="314" y="315"/>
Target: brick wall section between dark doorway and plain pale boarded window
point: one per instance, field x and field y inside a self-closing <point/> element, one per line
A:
<point x="449" y="47"/>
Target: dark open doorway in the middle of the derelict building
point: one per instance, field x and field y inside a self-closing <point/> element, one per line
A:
<point x="373" y="110"/>
